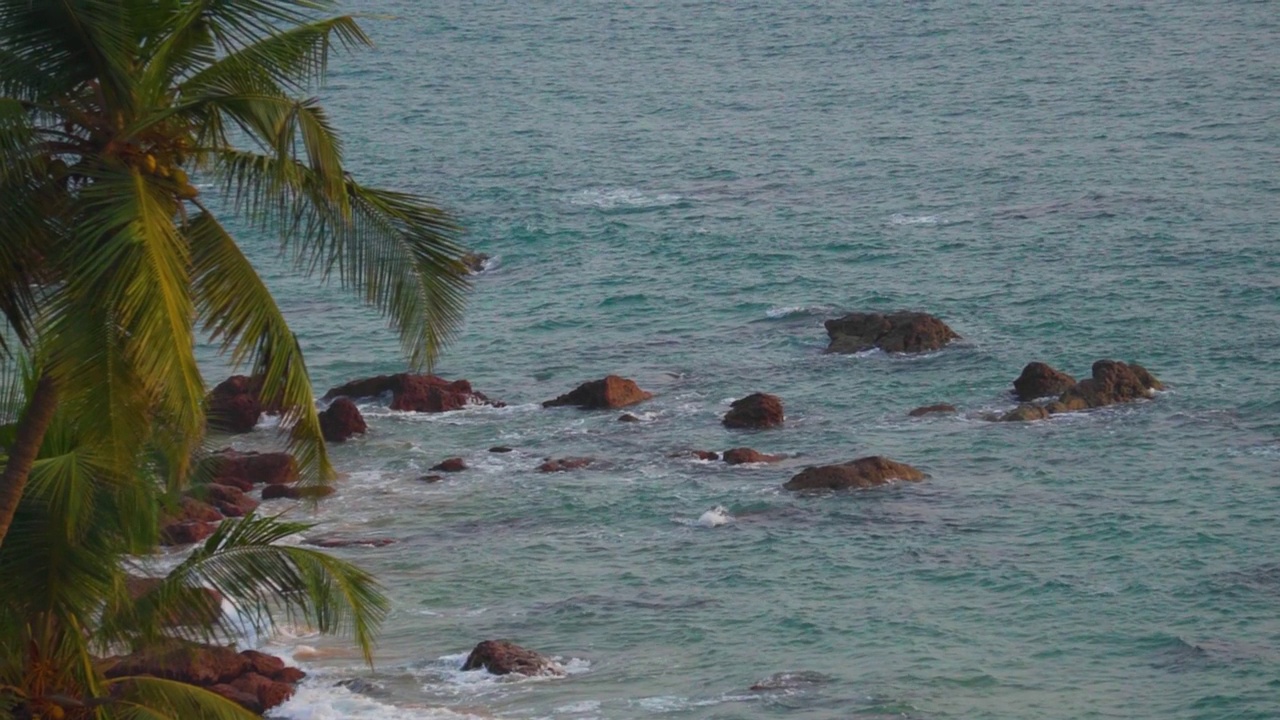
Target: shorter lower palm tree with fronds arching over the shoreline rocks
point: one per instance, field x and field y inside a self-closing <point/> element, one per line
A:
<point x="63" y="578"/>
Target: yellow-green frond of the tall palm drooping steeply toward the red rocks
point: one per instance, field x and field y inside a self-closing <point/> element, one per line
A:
<point x="239" y="312"/>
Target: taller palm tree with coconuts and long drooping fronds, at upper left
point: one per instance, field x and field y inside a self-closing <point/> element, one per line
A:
<point x="113" y="116"/>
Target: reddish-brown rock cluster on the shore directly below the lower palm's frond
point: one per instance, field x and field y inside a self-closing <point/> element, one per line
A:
<point x="254" y="681"/>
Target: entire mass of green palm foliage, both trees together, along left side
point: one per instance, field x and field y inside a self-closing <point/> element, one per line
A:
<point x="130" y="131"/>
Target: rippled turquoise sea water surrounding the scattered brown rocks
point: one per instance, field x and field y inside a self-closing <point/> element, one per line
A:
<point x="683" y="193"/>
